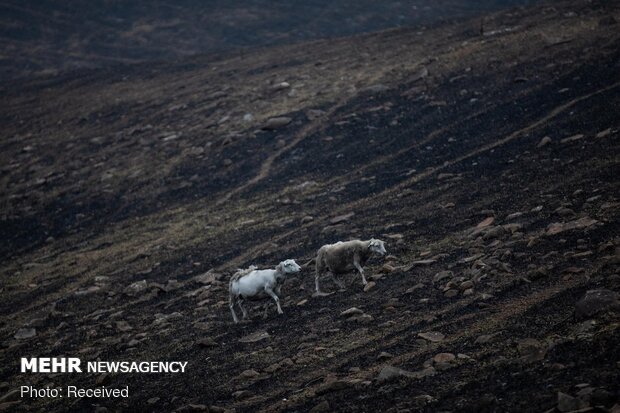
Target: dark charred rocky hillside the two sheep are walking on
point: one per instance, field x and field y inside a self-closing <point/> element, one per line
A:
<point x="487" y="162"/>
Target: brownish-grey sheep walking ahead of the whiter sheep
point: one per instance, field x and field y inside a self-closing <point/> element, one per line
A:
<point x="342" y="257"/>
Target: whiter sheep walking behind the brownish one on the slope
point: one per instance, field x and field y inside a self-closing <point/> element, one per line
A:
<point x="255" y="284"/>
